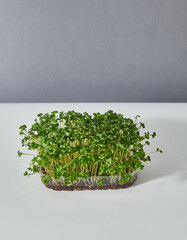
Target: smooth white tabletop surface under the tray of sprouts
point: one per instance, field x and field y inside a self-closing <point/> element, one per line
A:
<point x="154" y="208"/>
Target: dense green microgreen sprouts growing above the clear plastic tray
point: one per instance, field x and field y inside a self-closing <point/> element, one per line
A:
<point x="76" y="145"/>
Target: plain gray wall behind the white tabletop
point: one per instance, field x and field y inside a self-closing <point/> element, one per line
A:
<point x="93" y="50"/>
